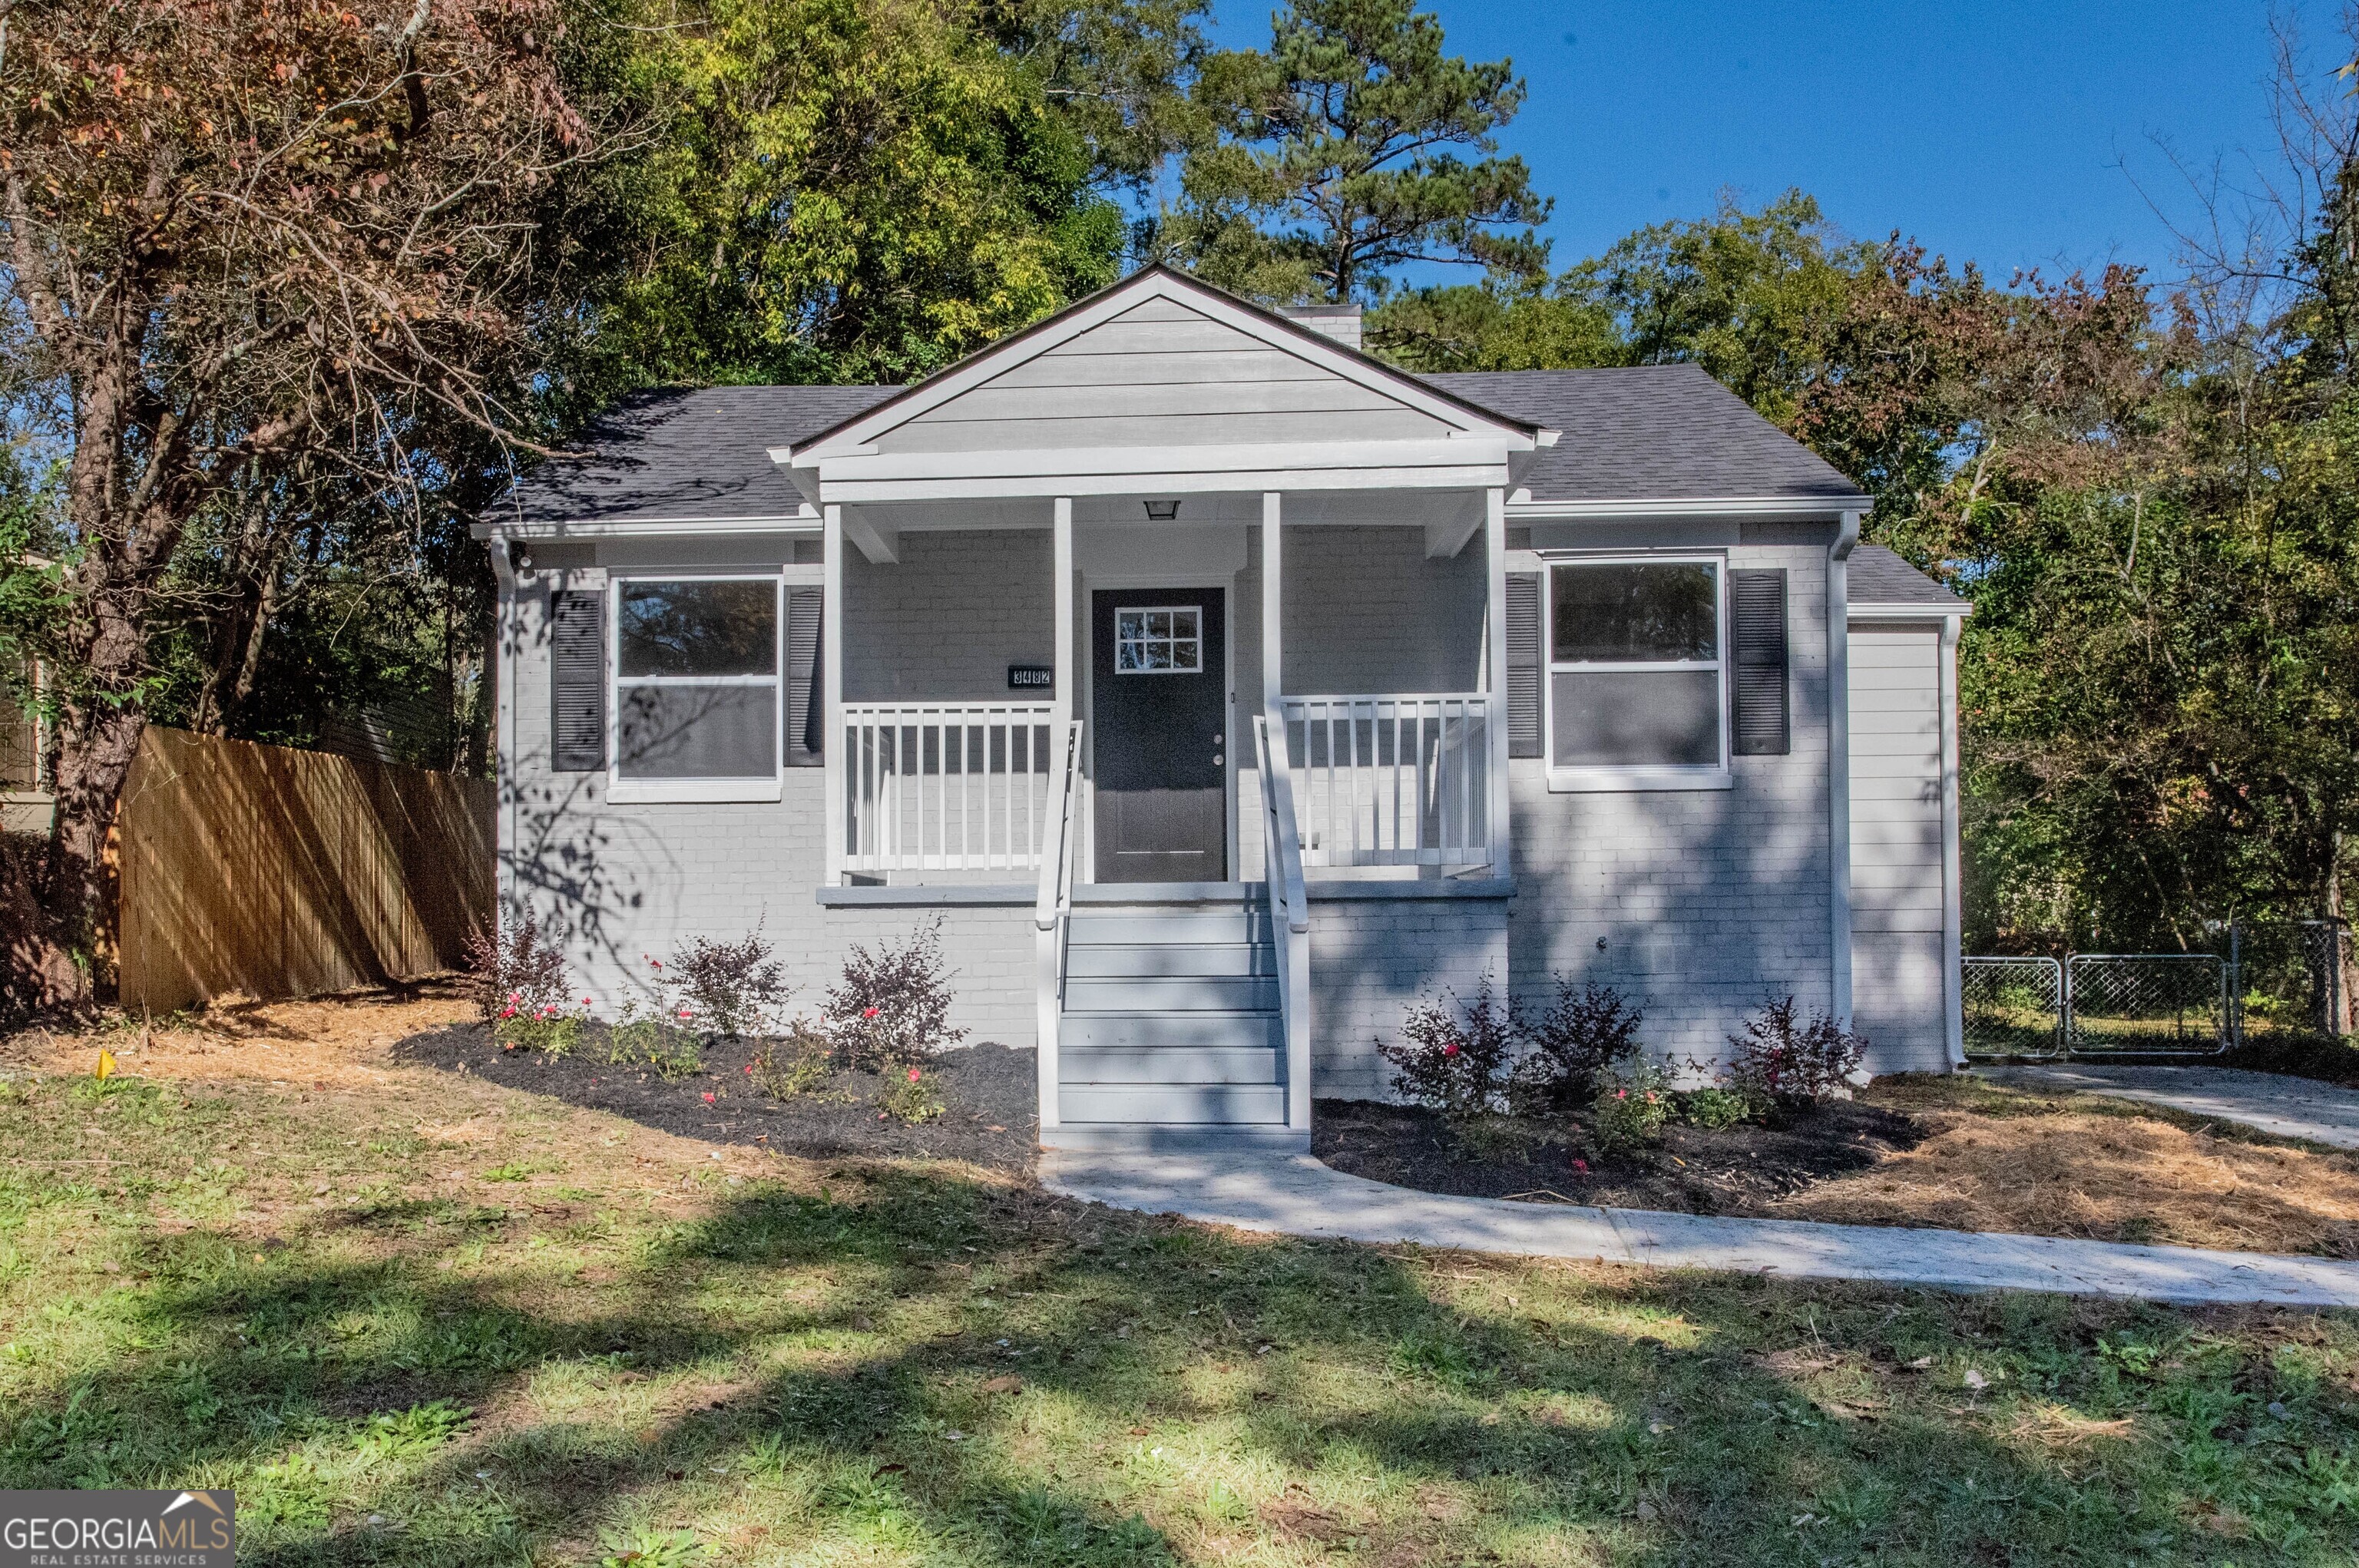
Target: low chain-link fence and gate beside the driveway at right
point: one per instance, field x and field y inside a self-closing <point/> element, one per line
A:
<point x="2273" y="980"/>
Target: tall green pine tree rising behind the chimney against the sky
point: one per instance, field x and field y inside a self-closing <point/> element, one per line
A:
<point x="1339" y="157"/>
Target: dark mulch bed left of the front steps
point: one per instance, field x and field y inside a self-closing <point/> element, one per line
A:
<point x="990" y="1098"/>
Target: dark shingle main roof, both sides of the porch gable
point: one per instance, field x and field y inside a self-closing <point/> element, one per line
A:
<point x="1652" y="433"/>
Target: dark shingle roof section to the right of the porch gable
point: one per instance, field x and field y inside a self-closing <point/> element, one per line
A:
<point x="1652" y="433"/>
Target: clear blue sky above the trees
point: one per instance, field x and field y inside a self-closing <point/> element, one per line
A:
<point x="1995" y="131"/>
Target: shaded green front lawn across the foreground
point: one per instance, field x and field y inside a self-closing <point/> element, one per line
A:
<point x="419" y="1319"/>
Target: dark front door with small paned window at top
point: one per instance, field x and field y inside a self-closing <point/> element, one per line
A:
<point x="1159" y="697"/>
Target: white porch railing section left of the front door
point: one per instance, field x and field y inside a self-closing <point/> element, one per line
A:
<point x="945" y="786"/>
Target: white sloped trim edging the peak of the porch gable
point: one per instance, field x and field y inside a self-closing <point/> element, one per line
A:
<point x="1124" y="298"/>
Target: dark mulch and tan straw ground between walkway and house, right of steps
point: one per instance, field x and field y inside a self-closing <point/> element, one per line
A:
<point x="1912" y="1152"/>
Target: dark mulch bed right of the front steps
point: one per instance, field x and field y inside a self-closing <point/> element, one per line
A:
<point x="1733" y="1171"/>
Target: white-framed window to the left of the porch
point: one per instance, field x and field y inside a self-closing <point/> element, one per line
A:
<point x="699" y="704"/>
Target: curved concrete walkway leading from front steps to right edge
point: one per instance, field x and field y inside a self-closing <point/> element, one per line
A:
<point x="1301" y="1197"/>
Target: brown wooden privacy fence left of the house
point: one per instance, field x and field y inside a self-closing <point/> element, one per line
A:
<point x="277" y="874"/>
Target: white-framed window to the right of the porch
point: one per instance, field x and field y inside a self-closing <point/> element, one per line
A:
<point x="1636" y="673"/>
